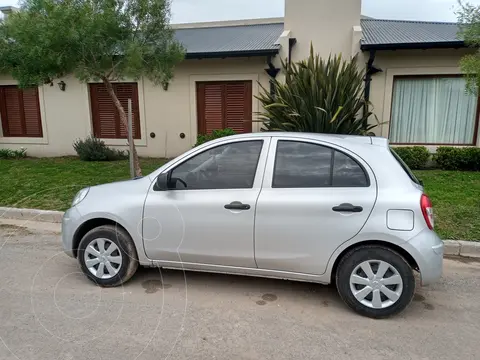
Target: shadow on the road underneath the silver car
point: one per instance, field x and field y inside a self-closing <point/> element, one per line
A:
<point x="173" y="285"/>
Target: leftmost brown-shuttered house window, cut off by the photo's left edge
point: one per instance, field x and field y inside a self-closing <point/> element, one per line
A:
<point x="20" y="112"/>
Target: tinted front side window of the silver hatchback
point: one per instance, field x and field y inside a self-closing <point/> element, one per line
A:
<point x="231" y="166"/>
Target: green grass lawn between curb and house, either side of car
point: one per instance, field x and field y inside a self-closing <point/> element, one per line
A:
<point x="51" y="184"/>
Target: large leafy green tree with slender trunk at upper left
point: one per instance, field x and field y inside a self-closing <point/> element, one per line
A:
<point x="96" y="40"/>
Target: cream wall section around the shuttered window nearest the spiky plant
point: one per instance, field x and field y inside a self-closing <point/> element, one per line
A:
<point x="172" y="112"/>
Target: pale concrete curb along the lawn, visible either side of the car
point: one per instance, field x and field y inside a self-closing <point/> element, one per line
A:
<point x="452" y="247"/>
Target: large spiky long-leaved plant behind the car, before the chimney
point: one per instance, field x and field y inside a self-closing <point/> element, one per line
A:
<point x="317" y="96"/>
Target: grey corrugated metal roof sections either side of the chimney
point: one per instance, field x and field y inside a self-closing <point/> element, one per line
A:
<point x="260" y="39"/>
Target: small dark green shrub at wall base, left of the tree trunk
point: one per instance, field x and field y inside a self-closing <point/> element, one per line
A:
<point x="93" y="149"/>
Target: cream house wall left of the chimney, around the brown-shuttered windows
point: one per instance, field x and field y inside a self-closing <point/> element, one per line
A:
<point x="66" y="115"/>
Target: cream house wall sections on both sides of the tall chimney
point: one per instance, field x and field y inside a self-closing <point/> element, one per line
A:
<point x="66" y="115"/>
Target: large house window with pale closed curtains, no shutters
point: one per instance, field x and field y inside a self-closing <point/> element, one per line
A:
<point x="433" y="110"/>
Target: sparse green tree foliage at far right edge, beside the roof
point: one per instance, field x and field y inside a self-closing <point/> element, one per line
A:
<point x="469" y="20"/>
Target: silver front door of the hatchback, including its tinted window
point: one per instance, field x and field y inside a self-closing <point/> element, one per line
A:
<point x="207" y="215"/>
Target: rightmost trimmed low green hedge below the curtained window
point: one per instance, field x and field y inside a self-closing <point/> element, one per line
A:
<point x="451" y="158"/>
